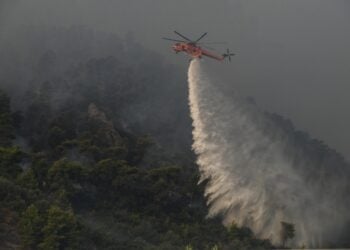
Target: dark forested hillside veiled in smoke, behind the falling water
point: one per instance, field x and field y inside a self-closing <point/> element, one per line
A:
<point x="95" y="148"/>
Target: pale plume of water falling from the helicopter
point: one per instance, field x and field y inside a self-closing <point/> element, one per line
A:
<point x="255" y="177"/>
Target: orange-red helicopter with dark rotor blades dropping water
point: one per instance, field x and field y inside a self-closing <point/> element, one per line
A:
<point x="194" y="49"/>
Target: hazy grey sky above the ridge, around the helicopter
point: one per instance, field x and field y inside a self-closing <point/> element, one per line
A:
<point x="293" y="56"/>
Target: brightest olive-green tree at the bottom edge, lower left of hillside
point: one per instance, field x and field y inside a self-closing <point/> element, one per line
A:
<point x="61" y="231"/>
